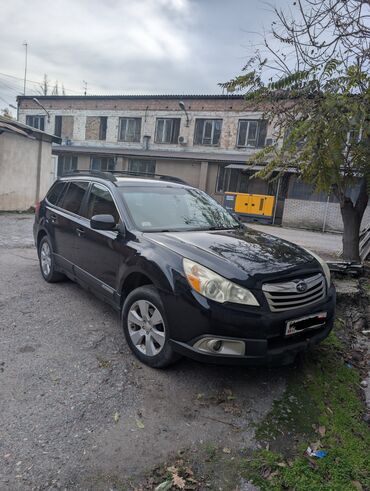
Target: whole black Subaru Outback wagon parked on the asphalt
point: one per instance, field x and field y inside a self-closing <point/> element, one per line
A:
<point x="186" y="276"/>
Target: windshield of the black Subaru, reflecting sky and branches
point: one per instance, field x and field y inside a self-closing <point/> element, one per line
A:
<point x="172" y="209"/>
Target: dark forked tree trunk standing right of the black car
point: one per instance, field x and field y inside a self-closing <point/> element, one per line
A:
<point x="352" y="218"/>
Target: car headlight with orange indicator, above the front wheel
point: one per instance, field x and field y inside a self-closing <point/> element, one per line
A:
<point x="214" y="286"/>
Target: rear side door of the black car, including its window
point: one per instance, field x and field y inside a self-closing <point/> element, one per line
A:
<point x="63" y="221"/>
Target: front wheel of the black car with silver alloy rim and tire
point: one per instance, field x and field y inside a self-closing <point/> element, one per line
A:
<point x="146" y="329"/>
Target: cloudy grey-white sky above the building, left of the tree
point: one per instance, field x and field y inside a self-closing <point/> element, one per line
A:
<point x="127" y="46"/>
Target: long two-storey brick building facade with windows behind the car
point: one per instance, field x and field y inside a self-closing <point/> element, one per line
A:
<point x="204" y="140"/>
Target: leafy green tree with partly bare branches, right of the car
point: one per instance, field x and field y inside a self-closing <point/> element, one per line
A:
<point x="311" y="77"/>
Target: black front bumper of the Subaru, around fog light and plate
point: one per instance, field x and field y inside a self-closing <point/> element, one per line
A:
<point x="262" y="331"/>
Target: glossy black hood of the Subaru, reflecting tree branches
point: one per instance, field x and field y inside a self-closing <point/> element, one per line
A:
<point x="243" y="255"/>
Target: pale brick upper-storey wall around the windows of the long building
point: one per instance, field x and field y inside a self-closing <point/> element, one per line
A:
<point x="85" y="113"/>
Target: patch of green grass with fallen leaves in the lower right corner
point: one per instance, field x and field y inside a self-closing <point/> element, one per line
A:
<point x="325" y="396"/>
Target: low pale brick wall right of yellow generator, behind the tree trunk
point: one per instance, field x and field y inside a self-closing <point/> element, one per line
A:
<point x="311" y="215"/>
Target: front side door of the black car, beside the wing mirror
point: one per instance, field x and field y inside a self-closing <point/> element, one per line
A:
<point x="99" y="253"/>
